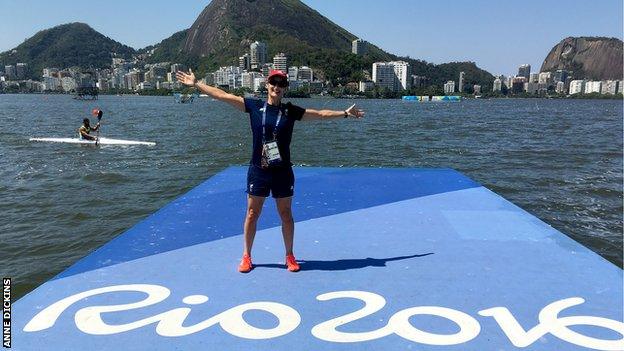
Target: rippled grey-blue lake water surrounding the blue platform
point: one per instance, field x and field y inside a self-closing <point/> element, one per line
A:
<point x="559" y="160"/>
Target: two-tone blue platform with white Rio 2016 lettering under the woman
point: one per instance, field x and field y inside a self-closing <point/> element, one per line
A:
<point x="432" y="249"/>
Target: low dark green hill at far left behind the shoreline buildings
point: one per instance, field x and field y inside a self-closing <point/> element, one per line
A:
<point x="67" y="45"/>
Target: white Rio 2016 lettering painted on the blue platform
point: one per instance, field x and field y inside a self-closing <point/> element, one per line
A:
<point x="170" y="323"/>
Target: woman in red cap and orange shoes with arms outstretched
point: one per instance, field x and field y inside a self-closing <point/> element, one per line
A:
<point x="270" y="170"/>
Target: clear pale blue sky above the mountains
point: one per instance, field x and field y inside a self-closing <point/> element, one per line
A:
<point x="499" y="35"/>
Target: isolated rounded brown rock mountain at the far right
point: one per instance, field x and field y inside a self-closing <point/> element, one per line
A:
<point x="595" y="58"/>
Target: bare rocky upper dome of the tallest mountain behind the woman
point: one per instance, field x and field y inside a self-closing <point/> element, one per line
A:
<point x="231" y="25"/>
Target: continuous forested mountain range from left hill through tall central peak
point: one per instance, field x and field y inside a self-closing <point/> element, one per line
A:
<point x="223" y="32"/>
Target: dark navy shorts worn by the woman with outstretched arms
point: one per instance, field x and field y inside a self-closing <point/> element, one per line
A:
<point x="279" y="181"/>
